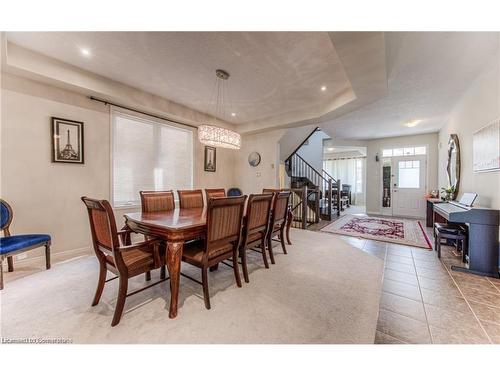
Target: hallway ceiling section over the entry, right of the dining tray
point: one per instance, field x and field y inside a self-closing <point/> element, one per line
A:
<point x="427" y="74"/>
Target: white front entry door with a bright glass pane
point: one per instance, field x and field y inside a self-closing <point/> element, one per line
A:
<point x="409" y="185"/>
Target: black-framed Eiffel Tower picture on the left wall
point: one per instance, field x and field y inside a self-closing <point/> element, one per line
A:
<point x="67" y="141"/>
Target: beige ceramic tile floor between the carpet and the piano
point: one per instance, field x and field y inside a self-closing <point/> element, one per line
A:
<point x="423" y="301"/>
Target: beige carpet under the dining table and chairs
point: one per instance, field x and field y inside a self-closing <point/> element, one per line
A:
<point x="323" y="291"/>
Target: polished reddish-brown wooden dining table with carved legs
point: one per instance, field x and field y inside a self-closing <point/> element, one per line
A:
<point x="176" y="227"/>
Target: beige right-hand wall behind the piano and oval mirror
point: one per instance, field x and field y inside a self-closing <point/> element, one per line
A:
<point x="477" y="107"/>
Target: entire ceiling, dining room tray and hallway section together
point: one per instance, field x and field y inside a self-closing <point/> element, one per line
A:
<point x="376" y="81"/>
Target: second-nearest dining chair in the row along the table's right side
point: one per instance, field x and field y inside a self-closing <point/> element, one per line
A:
<point x="255" y="227"/>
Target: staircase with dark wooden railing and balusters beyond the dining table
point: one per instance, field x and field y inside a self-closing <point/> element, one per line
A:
<point x="314" y="194"/>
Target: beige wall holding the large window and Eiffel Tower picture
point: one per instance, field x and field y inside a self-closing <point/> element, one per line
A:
<point x="45" y="196"/>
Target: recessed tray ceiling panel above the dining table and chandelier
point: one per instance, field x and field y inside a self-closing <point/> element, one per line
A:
<point x="275" y="77"/>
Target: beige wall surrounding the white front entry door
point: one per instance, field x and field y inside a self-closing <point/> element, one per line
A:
<point x="373" y="168"/>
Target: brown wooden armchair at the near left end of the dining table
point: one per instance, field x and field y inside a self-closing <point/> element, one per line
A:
<point x="116" y="254"/>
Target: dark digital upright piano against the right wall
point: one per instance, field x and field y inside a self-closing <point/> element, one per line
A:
<point x="483" y="227"/>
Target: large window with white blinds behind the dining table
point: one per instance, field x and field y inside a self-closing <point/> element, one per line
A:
<point x="149" y="155"/>
